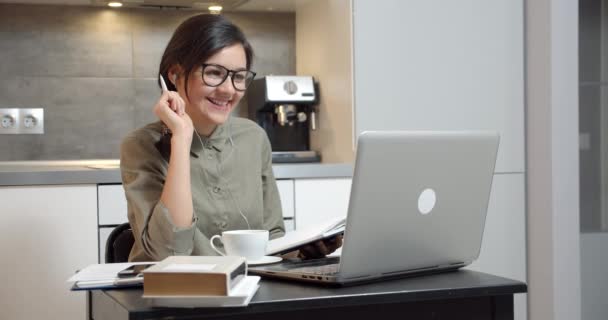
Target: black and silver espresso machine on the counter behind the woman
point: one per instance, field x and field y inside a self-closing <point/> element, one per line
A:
<point x="285" y="107"/>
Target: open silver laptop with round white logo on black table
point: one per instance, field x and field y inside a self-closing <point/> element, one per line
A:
<point x="418" y="204"/>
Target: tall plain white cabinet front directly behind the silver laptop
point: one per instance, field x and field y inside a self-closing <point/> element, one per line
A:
<point x="452" y="65"/>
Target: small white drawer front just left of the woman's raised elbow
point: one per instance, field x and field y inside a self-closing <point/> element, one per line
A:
<point x="112" y="205"/>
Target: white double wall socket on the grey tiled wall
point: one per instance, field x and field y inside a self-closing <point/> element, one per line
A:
<point x="21" y="121"/>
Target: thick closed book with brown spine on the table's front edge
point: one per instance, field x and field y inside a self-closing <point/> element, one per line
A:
<point x="194" y="276"/>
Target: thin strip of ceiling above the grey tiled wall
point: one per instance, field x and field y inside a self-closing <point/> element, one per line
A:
<point x="229" y="5"/>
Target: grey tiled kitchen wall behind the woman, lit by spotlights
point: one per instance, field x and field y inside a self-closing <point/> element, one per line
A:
<point x="93" y="70"/>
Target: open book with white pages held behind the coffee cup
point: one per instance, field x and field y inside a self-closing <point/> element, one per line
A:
<point x="295" y="239"/>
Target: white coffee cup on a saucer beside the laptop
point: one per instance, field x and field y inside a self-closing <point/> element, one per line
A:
<point x="250" y="244"/>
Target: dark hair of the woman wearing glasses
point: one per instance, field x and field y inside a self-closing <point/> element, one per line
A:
<point x="196" y="40"/>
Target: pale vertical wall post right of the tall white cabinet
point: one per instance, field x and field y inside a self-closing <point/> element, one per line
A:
<point x="552" y="159"/>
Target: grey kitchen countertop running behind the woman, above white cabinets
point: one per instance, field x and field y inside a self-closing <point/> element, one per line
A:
<point x="21" y="173"/>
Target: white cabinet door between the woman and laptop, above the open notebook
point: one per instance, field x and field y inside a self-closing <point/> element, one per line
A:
<point x="319" y="200"/>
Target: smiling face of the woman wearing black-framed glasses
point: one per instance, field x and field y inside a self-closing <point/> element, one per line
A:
<point x="210" y="106"/>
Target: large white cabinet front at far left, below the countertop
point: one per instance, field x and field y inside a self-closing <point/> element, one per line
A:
<point x="47" y="233"/>
